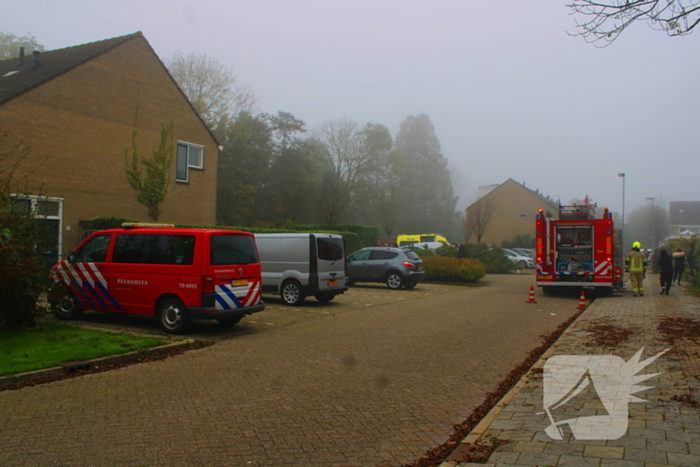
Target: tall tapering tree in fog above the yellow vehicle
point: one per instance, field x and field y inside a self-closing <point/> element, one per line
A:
<point x="432" y="200"/>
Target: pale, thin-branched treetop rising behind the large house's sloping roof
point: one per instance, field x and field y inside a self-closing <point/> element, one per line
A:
<point x="211" y="87"/>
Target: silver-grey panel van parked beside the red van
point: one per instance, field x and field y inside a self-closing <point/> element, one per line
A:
<point x="296" y="266"/>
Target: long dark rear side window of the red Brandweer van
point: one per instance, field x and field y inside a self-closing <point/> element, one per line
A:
<point x="154" y="249"/>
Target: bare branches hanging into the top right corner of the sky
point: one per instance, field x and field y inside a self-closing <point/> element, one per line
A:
<point x="604" y="21"/>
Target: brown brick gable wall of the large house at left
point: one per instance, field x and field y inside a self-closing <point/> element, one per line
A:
<point x="79" y="124"/>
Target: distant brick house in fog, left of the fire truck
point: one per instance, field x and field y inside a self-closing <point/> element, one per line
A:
<point x="512" y="208"/>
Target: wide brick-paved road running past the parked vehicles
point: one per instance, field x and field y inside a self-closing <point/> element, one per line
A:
<point x="372" y="386"/>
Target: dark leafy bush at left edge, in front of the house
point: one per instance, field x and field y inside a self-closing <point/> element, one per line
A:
<point x="21" y="241"/>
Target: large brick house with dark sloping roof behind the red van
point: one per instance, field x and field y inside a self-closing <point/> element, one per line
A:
<point x="76" y="109"/>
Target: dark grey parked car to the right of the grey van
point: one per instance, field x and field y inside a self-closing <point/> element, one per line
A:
<point x="397" y="267"/>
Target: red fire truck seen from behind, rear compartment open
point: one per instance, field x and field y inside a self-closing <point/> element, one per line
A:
<point x="577" y="250"/>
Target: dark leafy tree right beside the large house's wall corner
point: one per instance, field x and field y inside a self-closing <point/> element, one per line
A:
<point x="244" y="170"/>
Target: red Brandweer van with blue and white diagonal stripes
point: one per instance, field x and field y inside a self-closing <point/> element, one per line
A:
<point x="174" y="274"/>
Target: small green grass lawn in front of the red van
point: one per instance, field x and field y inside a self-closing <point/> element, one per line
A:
<point x="52" y="344"/>
